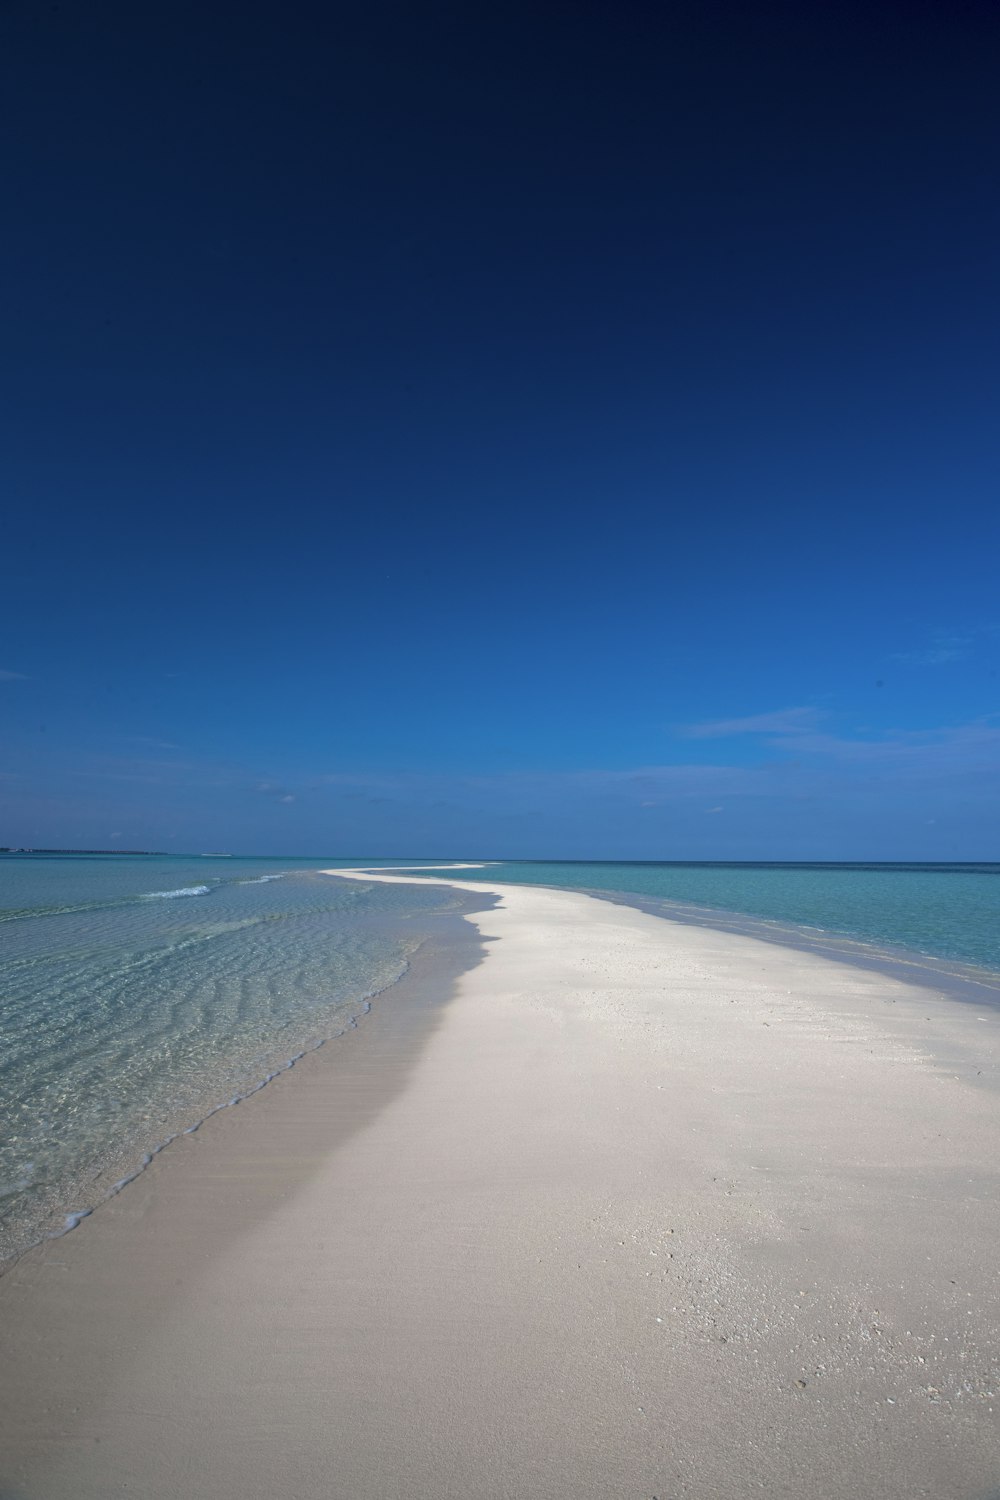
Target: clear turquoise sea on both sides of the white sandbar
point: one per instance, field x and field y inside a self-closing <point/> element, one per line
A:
<point x="140" y="994"/>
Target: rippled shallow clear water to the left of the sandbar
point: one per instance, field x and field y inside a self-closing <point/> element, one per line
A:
<point x="139" y="994"/>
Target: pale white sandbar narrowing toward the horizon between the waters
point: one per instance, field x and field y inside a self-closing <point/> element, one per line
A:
<point x="645" y="1211"/>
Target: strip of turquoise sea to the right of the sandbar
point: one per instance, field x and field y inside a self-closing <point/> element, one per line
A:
<point x="948" y="914"/>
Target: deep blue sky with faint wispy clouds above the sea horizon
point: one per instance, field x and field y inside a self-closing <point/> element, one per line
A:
<point x="560" y="431"/>
